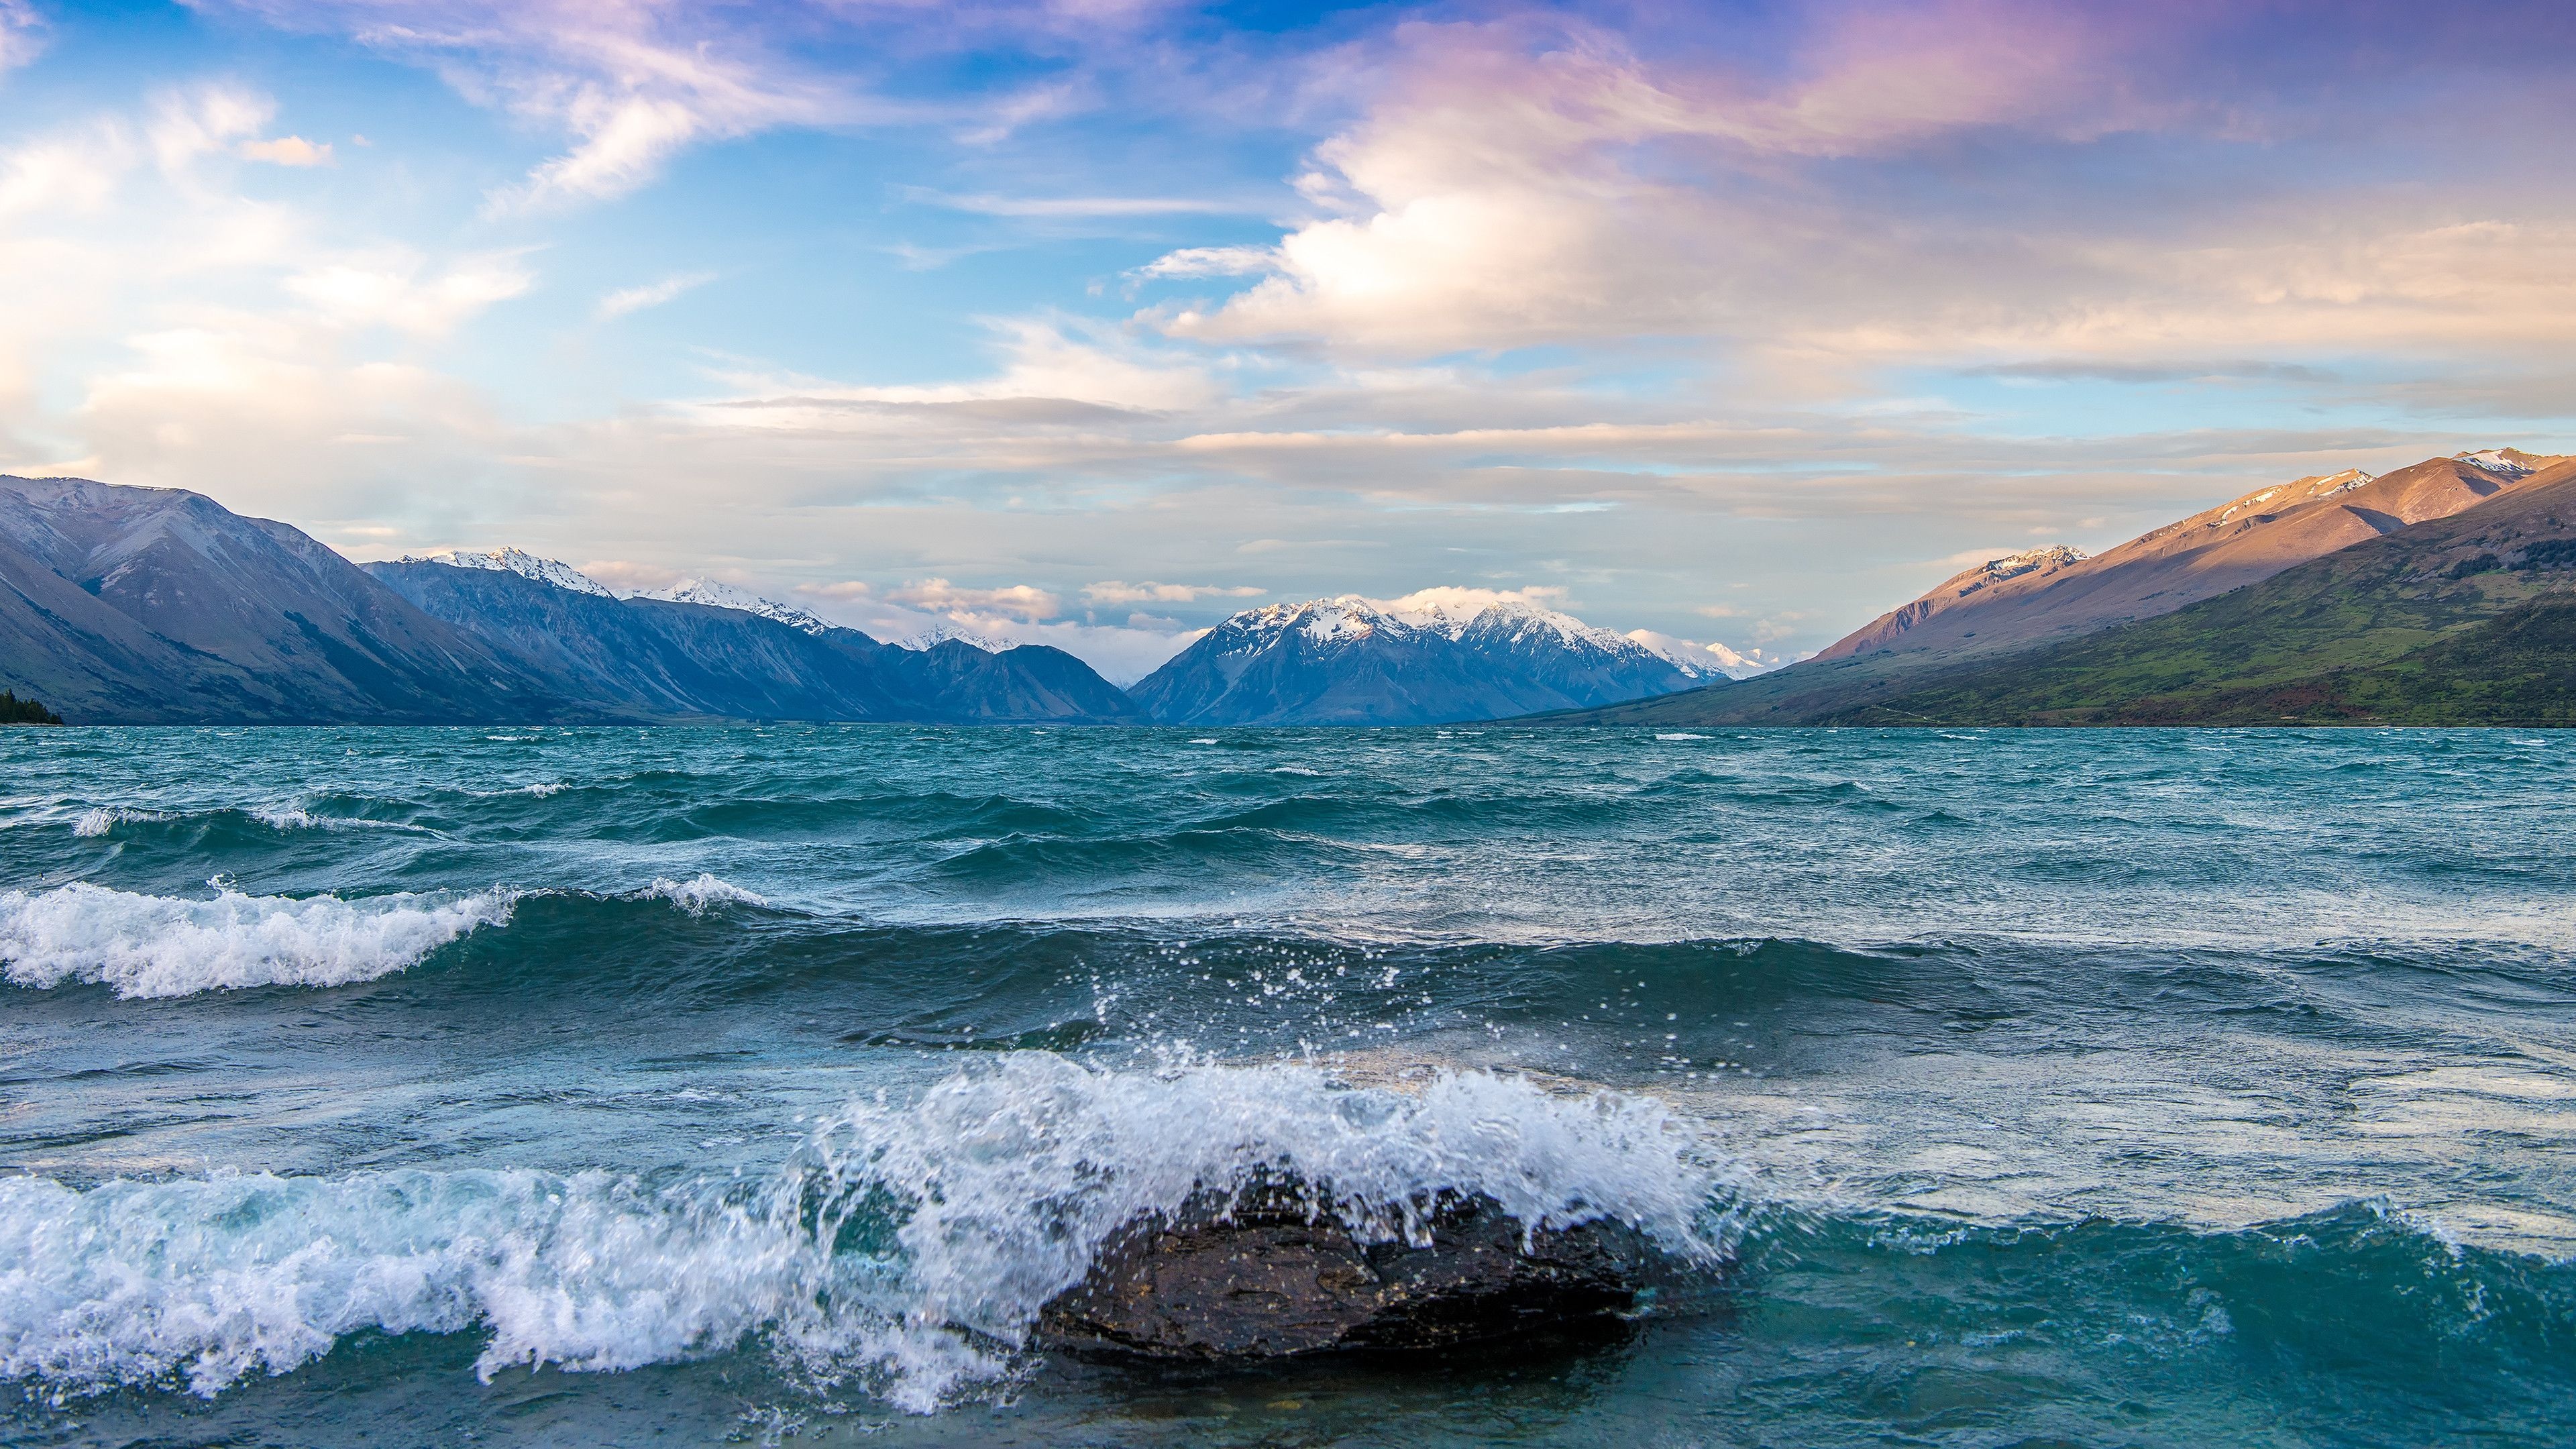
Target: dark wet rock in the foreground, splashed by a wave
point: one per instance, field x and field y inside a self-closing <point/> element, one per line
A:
<point x="1261" y="1275"/>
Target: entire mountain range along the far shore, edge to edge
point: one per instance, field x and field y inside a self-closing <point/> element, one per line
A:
<point x="2443" y="592"/>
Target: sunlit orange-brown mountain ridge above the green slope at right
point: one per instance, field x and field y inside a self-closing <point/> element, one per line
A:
<point x="2060" y="594"/>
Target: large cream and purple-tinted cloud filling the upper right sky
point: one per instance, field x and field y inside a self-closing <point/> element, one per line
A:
<point x="1910" y="187"/>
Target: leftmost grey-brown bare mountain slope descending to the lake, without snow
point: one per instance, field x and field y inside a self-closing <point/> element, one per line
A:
<point x="161" y="607"/>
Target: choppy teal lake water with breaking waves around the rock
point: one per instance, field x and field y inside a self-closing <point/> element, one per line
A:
<point x="568" y="1087"/>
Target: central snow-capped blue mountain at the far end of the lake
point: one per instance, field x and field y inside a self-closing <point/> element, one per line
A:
<point x="1431" y="659"/>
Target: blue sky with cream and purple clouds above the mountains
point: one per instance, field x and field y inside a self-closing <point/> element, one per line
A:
<point x="1096" y="321"/>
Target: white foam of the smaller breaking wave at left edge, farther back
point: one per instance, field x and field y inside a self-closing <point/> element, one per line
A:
<point x="156" y="945"/>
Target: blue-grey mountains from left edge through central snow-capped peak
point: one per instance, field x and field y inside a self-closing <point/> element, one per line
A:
<point x="143" y="605"/>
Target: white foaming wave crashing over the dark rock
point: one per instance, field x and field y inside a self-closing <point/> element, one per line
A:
<point x="903" y="1244"/>
